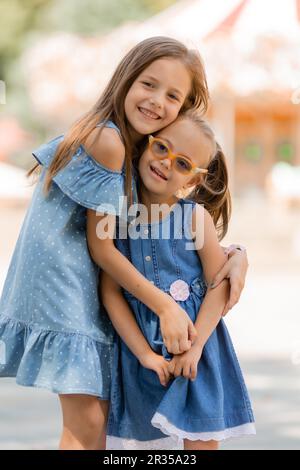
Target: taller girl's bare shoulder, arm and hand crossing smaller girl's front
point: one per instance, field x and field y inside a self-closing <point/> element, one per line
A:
<point x="106" y="147"/>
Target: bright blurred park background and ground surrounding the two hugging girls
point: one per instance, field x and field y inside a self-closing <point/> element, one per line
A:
<point x="55" y="59"/>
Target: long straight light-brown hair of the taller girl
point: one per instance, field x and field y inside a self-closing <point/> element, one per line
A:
<point x="110" y="105"/>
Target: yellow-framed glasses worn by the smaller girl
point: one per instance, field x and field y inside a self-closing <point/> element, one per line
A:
<point x="161" y="150"/>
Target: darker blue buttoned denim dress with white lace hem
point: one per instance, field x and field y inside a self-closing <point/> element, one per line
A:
<point x="214" y="406"/>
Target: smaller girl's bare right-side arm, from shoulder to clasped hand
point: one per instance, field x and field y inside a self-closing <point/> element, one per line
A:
<point x="212" y="259"/>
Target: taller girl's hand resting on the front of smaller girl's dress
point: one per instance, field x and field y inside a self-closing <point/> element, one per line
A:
<point x="177" y="328"/>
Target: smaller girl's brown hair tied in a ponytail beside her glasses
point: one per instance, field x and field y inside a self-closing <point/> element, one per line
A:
<point x="213" y="189"/>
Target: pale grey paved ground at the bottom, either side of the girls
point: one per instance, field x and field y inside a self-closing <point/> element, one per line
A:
<point x="30" y="418"/>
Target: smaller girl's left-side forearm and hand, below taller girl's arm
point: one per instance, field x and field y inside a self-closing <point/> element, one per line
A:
<point x="126" y="326"/>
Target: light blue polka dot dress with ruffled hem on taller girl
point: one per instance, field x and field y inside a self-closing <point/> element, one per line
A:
<point x="53" y="331"/>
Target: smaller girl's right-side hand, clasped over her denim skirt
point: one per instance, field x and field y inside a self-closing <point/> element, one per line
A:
<point x="186" y="364"/>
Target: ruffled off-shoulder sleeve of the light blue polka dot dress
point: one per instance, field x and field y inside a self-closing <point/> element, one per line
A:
<point x="86" y="181"/>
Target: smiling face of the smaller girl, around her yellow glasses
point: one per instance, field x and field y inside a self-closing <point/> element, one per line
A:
<point x="159" y="177"/>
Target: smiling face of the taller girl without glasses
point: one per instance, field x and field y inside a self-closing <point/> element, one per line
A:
<point x="156" y="96"/>
